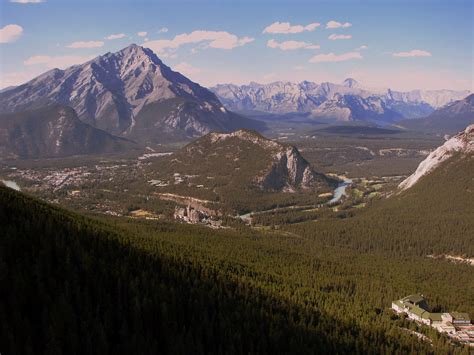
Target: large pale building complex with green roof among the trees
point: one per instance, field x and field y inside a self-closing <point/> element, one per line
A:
<point x="456" y="325"/>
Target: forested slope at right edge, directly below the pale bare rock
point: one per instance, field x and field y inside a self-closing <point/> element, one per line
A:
<point x="435" y="216"/>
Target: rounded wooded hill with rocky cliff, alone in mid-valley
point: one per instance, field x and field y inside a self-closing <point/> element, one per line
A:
<point x="239" y="171"/>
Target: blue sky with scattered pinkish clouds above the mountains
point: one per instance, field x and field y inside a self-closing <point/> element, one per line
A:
<point x="381" y="43"/>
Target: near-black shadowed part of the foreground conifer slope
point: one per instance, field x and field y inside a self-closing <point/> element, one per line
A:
<point x="76" y="285"/>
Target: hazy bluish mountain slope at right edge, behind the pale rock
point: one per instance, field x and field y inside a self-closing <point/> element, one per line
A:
<point x="448" y="119"/>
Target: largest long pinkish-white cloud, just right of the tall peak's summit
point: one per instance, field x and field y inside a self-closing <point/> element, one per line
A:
<point x="212" y="39"/>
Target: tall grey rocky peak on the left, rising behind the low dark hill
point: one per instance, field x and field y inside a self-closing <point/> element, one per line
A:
<point x="130" y="93"/>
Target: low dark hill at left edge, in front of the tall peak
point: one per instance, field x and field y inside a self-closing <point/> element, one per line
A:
<point x="53" y="131"/>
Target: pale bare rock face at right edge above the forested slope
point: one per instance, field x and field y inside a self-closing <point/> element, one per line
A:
<point x="461" y="146"/>
